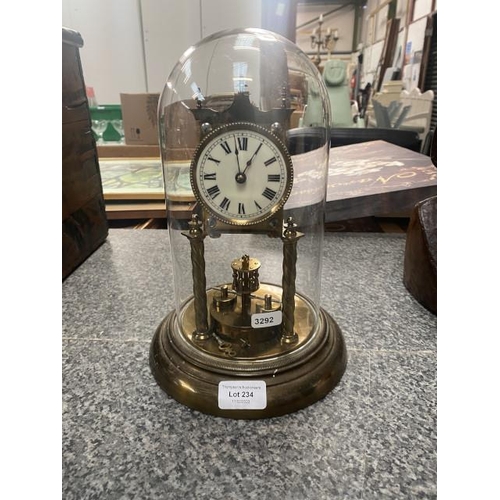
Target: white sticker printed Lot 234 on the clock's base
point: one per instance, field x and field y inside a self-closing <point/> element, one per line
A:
<point x="242" y="395"/>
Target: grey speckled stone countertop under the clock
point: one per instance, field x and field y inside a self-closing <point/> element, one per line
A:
<point x="372" y="437"/>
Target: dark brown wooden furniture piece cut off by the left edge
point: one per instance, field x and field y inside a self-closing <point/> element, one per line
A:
<point x="84" y="223"/>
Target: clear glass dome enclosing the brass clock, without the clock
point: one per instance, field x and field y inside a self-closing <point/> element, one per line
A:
<point x="276" y="75"/>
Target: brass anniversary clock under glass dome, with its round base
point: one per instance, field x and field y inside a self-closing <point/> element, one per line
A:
<point x="247" y="337"/>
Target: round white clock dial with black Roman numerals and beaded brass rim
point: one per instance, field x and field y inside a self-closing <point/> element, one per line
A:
<point x="241" y="173"/>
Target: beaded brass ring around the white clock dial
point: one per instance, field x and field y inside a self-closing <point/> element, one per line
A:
<point x="243" y="127"/>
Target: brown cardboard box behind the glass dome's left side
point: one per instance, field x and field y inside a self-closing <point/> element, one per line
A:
<point x="140" y="118"/>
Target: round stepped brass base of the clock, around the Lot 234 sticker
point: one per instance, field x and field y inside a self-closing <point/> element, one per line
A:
<point x="289" y="388"/>
